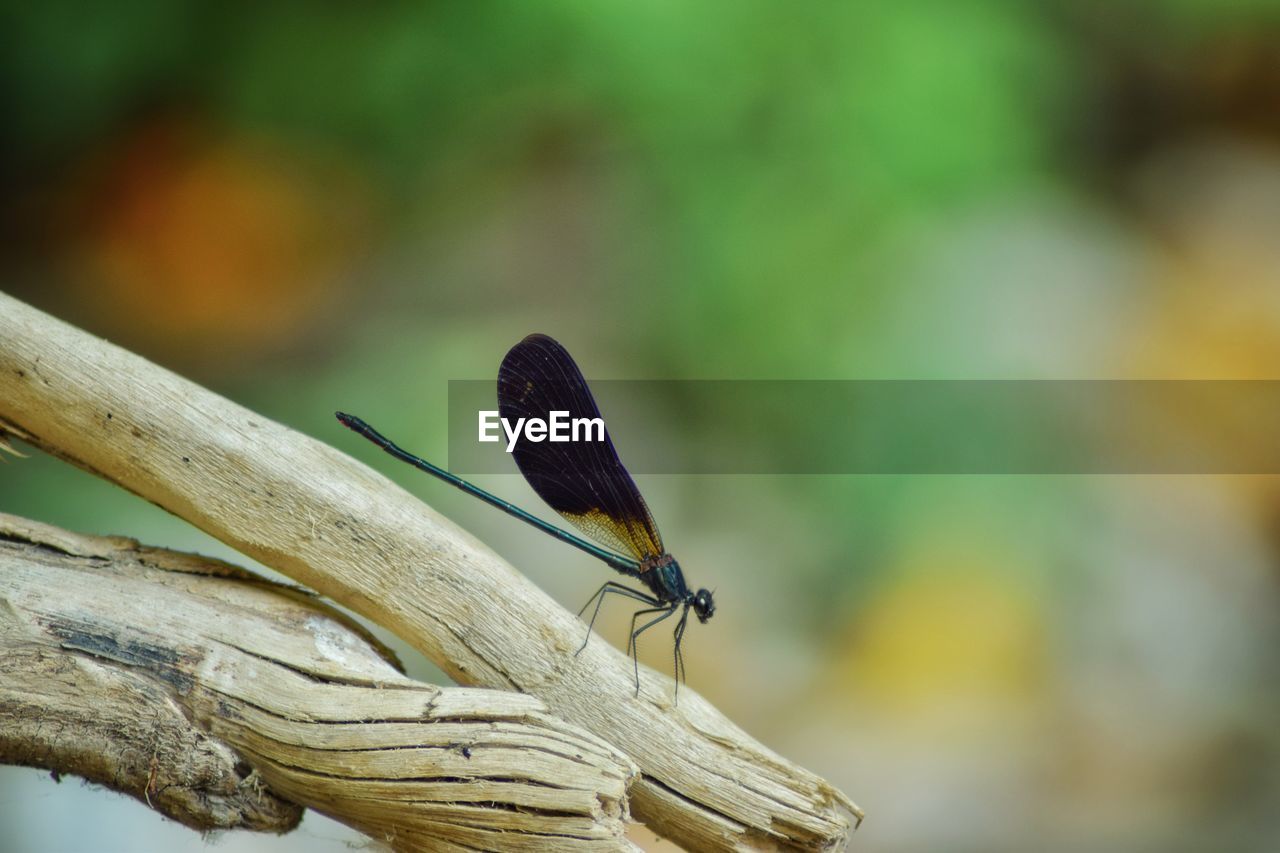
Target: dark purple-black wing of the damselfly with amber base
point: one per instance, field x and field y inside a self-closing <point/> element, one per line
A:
<point x="586" y="482"/>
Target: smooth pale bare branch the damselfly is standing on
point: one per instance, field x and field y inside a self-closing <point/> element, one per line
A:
<point x="331" y="523"/>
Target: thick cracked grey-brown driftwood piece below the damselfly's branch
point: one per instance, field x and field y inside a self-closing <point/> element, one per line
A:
<point x="222" y="701"/>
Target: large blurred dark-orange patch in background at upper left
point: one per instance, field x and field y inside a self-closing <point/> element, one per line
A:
<point x="195" y="243"/>
